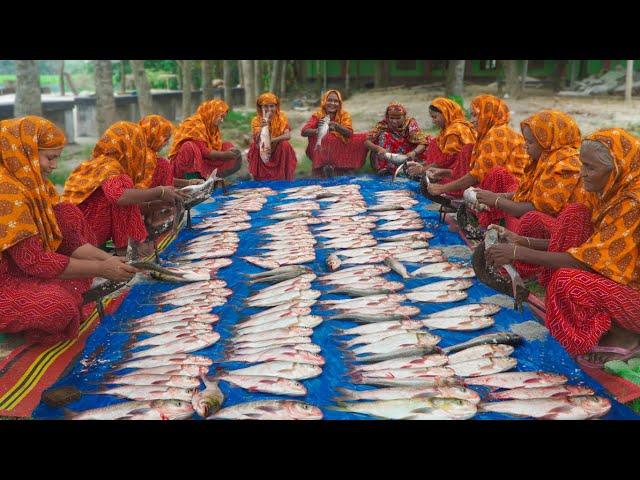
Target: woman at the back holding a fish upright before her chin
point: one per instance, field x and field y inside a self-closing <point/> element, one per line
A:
<point x="271" y="156"/>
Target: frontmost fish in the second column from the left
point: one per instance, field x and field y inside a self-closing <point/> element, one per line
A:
<point x="270" y="410"/>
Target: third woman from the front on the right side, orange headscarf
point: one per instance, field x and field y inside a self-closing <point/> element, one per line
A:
<point x="498" y="145"/>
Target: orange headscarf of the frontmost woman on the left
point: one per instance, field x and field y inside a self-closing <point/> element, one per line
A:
<point x="26" y="197"/>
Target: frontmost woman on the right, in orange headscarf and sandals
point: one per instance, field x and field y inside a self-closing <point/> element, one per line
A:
<point x="593" y="255"/>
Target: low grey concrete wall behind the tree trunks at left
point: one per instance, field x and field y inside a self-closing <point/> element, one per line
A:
<point x="168" y="104"/>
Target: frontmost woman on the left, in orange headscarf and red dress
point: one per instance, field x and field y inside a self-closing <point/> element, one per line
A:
<point x="46" y="258"/>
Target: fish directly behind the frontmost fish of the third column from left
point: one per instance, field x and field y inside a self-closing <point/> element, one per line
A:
<point x="400" y="393"/>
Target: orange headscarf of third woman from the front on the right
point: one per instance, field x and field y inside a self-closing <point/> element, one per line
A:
<point x="498" y="144"/>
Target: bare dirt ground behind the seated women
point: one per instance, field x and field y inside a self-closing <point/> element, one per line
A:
<point x="367" y="107"/>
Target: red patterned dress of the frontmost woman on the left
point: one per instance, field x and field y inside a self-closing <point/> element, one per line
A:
<point x="32" y="299"/>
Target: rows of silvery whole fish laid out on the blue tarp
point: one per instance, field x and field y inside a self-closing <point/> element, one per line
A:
<point x="393" y="355"/>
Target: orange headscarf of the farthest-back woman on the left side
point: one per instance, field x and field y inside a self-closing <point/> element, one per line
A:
<point x="199" y="126"/>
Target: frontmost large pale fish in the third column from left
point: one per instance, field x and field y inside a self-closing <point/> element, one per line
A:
<point x="418" y="408"/>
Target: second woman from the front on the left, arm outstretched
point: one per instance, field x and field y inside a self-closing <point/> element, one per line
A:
<point x="115" y="183"/>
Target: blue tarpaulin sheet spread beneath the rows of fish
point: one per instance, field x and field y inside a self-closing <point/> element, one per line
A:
<point x="105" y="345"/>
